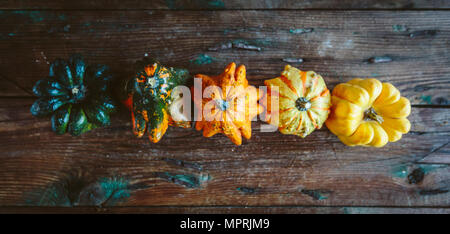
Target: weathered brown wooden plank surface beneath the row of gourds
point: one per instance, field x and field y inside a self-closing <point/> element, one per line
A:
<point x="404" y="42"/>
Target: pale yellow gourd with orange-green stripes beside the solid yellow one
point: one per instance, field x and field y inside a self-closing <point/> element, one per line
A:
<point x="303" y="101"/>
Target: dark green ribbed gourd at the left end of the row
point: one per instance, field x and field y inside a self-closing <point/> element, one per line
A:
<point x="76" y="95"/>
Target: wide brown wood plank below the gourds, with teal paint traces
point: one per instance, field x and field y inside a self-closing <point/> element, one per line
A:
<point x="187" y="169"/>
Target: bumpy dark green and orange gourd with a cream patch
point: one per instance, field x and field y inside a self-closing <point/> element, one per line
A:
<point x="148" y="97"/>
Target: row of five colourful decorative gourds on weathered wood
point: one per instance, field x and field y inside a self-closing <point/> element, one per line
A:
<point x="78" y="97"/>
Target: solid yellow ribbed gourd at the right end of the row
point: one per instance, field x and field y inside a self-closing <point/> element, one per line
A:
<point x="367" y="112"/>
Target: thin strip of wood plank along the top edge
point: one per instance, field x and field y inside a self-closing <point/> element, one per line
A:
<point x="224" y="4"/>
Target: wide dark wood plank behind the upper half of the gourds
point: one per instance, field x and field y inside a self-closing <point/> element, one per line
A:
<point x="409" y="49"/>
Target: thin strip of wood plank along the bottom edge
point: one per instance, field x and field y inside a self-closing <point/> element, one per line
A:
<point x="224" y="210"/>
